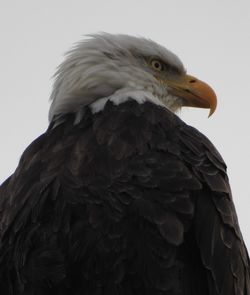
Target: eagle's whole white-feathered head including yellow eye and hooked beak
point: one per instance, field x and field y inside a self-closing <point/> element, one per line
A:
<point x="117" y="67"/>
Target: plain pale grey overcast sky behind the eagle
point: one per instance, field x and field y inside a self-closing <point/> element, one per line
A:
<point x="211" y="37"/>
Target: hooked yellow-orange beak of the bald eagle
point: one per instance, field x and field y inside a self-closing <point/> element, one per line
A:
<point x="195" y="93"/>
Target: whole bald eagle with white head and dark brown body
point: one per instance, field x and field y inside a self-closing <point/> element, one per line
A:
<point x="119" y="195"/>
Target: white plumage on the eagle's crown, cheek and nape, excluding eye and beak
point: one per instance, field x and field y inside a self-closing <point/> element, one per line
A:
<point x="98" y="67"/>
